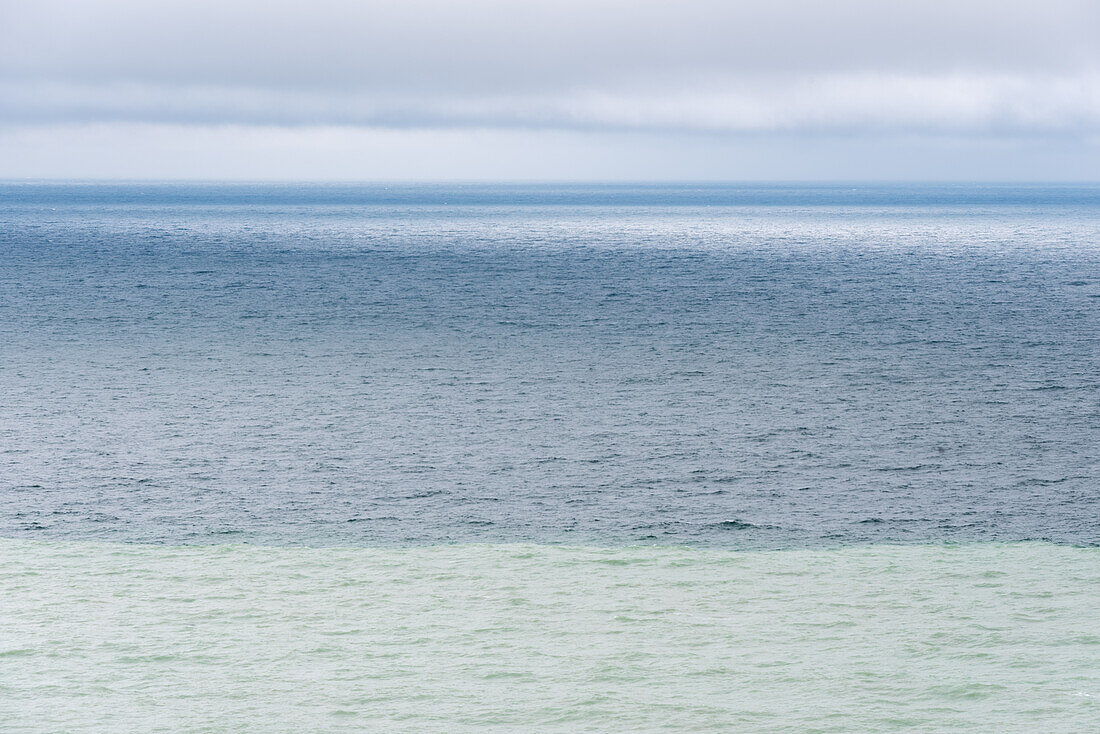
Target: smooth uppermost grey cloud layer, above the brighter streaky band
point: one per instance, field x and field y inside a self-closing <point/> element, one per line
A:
<point x="522" y="46"/>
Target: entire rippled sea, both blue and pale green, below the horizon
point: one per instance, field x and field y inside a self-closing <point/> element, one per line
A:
<point x="549" y="458"/>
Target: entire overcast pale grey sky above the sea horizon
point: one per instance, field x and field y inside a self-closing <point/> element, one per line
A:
<point x="564" y="90"/>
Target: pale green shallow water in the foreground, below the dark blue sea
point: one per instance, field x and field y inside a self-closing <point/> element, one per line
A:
<point x="978" y="638"/>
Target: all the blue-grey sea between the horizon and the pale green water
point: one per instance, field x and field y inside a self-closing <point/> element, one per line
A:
<point x="723" y="366"/>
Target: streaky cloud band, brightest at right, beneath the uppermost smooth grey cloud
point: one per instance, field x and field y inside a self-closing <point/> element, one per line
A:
<point x="841" y="104"/>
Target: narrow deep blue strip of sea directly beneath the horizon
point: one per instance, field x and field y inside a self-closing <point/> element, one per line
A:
<point x="551" y="195"/>
